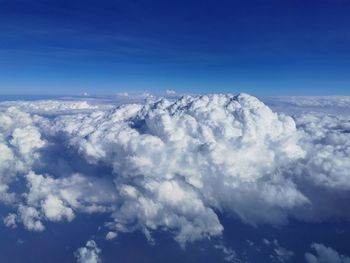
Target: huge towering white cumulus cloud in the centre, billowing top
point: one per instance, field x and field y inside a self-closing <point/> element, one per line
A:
<point x="215" y="151"/>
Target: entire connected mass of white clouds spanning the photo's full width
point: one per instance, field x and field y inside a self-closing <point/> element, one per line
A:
<point x="173" y="165"/>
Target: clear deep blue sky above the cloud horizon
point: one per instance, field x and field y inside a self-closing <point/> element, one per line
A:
<point x="263" y="47"/>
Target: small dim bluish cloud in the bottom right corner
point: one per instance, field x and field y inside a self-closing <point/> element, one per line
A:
<point x="325" y="255"/>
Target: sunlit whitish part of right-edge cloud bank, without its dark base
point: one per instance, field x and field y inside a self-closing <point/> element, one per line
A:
<point x="327" y="140"/>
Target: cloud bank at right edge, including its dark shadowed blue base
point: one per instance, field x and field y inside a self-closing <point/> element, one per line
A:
<point x="323" y="175"/>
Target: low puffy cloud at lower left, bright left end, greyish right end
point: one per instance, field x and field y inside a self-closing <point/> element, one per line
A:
<point x="58" y="198"/>
